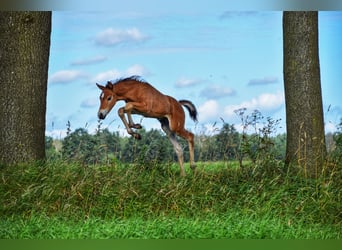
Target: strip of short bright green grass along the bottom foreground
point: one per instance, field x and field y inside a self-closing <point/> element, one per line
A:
<point x="231" y="225"/>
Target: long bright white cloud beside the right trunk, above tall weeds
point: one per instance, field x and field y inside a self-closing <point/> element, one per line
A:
<point x="264" y="102"/>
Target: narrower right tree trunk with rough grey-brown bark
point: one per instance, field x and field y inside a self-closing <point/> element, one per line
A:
<point x="303" y="97"/>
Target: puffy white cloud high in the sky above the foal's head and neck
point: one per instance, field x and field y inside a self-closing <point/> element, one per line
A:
<point x="111" y="37"/>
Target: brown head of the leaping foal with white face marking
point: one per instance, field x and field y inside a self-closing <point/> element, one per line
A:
<point x="107" y="99"/>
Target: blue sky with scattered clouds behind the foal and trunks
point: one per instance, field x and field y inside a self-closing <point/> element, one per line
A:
<point x="219" y="59"/>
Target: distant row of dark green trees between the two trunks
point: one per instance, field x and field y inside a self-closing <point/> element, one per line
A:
<point x="257" y="142"/>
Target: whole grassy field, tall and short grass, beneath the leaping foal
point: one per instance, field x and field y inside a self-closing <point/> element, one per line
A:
<point x="59" y="200"/>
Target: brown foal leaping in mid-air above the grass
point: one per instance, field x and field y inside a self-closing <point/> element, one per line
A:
<point x="143" y="99"/>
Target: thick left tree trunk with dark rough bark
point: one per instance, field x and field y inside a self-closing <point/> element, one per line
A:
<point x="24" y="57"/>
